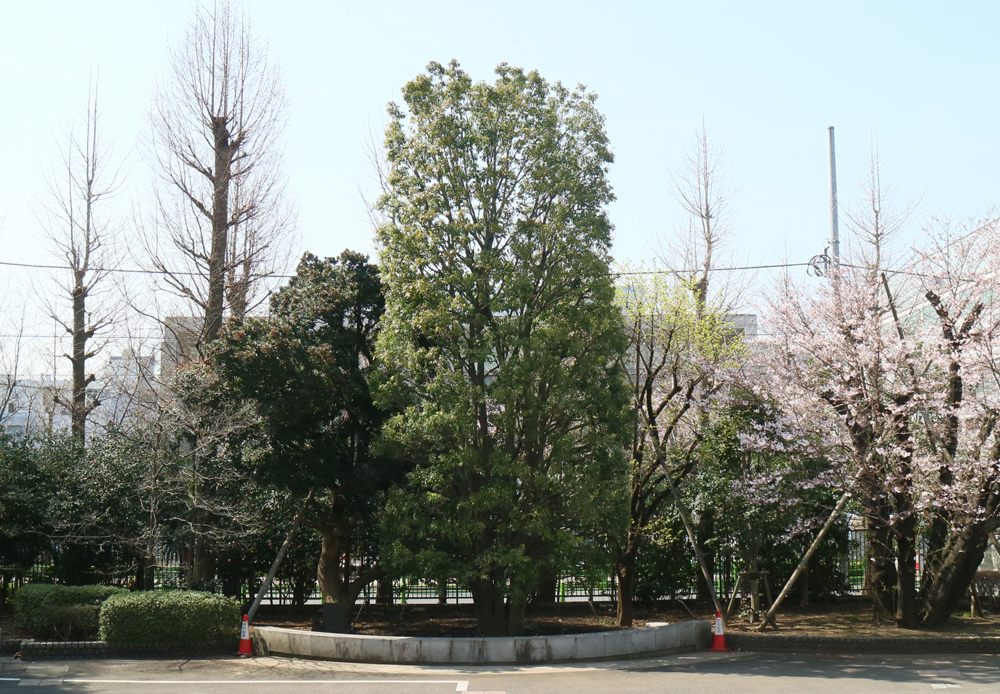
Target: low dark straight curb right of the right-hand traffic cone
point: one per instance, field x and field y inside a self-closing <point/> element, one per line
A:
<point x="862" y="644"/>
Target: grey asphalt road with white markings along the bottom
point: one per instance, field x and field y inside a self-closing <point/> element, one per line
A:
<point x="703" y="673"/>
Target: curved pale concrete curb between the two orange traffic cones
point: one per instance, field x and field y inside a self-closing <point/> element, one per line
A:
<point x="682" y="637"/>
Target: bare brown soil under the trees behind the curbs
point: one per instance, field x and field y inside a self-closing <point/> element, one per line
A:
<point x="848" y="618"/>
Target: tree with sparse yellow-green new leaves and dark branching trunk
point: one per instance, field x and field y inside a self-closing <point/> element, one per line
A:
<point x="676" y="345"/>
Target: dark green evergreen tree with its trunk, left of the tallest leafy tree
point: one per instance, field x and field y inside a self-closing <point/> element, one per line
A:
<point x="305" y="370"/>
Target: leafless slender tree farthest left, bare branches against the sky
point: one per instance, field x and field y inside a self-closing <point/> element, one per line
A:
<point x="81" y="233"/>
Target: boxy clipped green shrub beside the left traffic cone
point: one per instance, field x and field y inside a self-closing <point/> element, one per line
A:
<point x="169" y="617"/>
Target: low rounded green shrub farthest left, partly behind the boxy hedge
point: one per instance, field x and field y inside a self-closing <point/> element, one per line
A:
<point x="64" y="612"/>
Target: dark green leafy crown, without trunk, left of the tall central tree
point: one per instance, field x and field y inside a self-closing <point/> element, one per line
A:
<point x="305" y="369"/>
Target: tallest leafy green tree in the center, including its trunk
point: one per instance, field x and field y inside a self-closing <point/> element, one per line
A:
<point x="500" y="329"/>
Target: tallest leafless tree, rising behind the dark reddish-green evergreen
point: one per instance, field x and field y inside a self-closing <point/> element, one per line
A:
<point x="222" y="224"/>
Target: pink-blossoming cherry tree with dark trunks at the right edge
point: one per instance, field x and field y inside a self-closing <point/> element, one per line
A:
<point x="909" y="393"/>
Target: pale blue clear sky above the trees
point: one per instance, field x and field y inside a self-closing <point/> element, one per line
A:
<point x="767" y="78"/>
